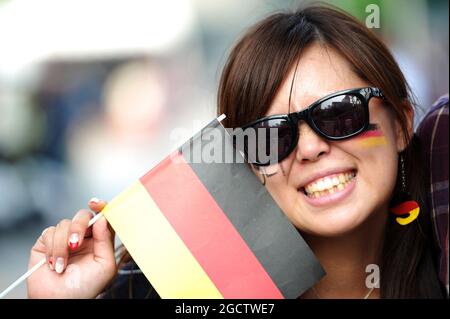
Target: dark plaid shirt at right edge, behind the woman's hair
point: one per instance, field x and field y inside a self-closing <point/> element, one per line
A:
<point x="433" y="133"/>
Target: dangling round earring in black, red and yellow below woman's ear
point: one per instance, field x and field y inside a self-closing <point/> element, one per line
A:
<point x="405" y="205"/>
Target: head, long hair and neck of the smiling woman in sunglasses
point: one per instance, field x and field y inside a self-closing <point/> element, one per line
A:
<point x="336" y="186"/>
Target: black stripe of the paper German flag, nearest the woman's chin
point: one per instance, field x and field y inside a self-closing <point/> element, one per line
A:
<point x="276" y="243"/>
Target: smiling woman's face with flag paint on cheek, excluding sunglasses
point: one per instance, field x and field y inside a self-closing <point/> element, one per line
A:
<point x="346" y="181"/>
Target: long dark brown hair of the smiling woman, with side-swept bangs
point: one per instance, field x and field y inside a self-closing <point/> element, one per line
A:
<point x="254" y="72"/>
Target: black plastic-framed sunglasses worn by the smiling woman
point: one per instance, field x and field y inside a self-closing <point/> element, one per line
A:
<point x="337" y="116"/>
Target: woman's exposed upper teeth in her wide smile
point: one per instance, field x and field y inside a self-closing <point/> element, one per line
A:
<point x="329" y="185"/>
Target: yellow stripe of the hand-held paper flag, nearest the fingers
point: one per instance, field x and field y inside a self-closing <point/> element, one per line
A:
<point x="156" y="248"/>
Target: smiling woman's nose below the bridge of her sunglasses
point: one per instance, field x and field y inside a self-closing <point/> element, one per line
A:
<point x="310" y="146"/>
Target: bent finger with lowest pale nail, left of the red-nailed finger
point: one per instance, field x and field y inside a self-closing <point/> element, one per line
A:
<point x="60" y="251"/>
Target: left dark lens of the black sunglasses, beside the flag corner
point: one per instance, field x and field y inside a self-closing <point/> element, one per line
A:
<point x="268" y="141"/>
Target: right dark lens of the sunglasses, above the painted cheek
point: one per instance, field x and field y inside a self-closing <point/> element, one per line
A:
<point x="340" y="116"/>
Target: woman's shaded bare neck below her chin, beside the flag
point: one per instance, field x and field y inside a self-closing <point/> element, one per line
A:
<point x="345" y="259"/>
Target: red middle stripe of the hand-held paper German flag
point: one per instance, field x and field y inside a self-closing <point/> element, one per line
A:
<point x="207" y="231"/>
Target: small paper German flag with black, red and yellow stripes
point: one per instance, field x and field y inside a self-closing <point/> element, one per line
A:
<point x="211" y="230"/>
